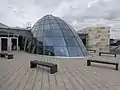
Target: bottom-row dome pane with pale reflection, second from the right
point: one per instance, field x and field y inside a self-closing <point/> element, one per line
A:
<point x="61" y="51"/>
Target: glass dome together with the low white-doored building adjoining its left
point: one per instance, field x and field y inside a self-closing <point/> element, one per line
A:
<point x="49" y="36"/>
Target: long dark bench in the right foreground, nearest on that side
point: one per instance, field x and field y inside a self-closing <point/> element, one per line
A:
<point x="103" y="62"/>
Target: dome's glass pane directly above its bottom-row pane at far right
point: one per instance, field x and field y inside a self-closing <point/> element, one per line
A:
<point x="71" y="41"/>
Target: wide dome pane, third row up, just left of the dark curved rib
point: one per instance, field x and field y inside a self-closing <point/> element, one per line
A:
<point x="52" y="33"/>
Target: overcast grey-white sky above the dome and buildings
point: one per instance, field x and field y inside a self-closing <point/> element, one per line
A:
<point x="76" y="12"/>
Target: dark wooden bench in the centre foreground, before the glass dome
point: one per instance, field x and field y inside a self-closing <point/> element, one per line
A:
<point x="53" y="67"/>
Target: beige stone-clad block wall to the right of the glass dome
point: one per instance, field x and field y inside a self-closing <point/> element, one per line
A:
<point x="98" y="38"/>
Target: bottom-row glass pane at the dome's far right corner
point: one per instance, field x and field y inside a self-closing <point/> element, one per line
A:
<point x="74" y="51"/>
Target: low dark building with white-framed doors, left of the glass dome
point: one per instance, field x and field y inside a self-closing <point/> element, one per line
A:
<point x="12" y="39"/>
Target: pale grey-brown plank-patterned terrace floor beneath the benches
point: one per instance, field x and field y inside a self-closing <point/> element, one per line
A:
<point x="15" y="74"/>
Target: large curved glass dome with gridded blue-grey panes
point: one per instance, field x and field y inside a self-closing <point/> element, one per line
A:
<point x="56" y="38"/>
